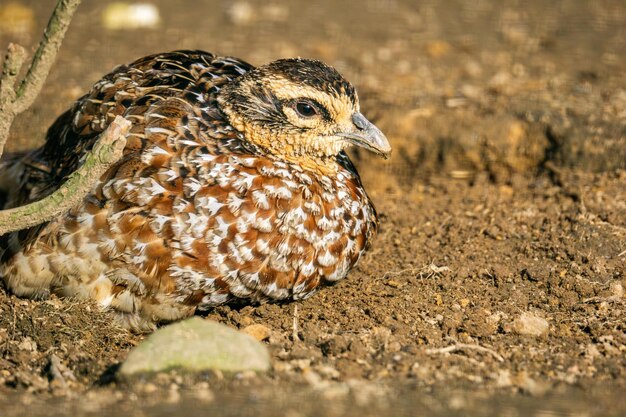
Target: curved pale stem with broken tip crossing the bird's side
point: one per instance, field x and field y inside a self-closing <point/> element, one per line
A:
<point x="107" y="150"/>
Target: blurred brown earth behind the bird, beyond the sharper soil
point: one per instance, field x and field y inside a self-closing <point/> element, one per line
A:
<point x="462" y="88"/>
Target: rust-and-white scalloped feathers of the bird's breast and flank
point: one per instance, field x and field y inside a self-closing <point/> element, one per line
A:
<point x="204" y="228"/>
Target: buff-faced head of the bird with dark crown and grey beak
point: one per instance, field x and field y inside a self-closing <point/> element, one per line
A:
<point x="300" y="110"/>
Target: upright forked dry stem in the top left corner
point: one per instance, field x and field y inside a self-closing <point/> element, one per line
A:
<point x="15" y="100"/>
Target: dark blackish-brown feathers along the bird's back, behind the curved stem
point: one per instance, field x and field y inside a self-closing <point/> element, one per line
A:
<point x="129" y="90"/>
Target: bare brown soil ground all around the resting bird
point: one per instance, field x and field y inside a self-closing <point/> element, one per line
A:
<point x="497" y="280"/>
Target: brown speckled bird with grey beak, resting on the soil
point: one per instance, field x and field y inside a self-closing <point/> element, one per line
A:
<point x="234" y="187"/>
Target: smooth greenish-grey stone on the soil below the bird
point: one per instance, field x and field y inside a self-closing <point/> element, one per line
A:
<point x="196" y="345"/>
